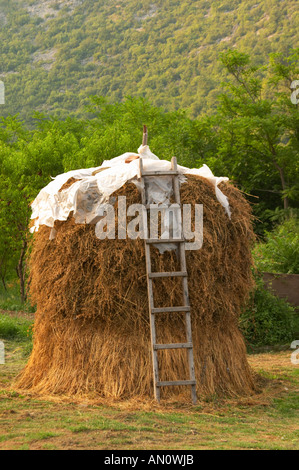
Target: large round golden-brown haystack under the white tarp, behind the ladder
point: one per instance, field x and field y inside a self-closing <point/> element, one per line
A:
<point x="92" y="334"/>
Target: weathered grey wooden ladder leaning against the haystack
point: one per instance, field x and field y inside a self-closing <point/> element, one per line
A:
<point x="154" y="275"/>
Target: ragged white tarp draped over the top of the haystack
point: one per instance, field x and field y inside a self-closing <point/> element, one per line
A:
<point x="86" y="196"/>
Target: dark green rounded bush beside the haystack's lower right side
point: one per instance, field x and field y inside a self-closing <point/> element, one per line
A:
<point x="267" y="320"/>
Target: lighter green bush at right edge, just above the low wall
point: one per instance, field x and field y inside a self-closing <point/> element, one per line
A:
<point x="280" y="252"/>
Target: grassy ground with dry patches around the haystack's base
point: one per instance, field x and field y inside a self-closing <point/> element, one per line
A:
<point x="268" y="420"/>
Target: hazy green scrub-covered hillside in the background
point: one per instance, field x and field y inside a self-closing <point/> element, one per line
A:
<point x="54" y="54"/>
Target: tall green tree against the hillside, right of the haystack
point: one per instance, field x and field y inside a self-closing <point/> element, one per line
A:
<point x="258" y="128"/>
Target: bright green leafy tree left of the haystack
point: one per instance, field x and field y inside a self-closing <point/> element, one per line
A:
<point x="28" y="160"/>
